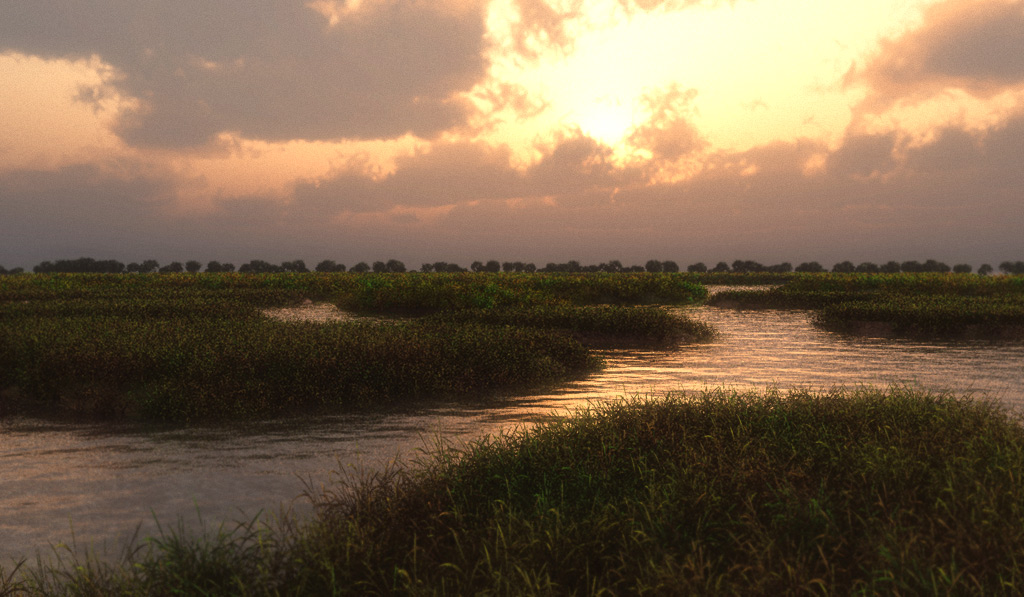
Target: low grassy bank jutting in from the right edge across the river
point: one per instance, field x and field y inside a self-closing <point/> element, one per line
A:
<point x="917" y="306"/>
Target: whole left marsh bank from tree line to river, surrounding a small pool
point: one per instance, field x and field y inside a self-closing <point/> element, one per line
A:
<point x="196" y="348"/>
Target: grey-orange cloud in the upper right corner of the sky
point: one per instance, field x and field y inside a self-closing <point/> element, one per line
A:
<point x="974" y="47"/>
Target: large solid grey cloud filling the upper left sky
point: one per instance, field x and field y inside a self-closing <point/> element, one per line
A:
<point x="272" y="70"/>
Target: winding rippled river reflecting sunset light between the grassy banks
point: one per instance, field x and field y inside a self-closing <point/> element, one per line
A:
<point x="100" y="483"/>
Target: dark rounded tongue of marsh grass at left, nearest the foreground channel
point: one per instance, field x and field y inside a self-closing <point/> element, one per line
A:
<point x="195" y="370"/>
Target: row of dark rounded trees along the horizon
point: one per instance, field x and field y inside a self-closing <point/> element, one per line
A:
<point x="90" y="266"/>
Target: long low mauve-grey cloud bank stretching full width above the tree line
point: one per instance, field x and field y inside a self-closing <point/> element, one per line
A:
<point x="955" y="198"/>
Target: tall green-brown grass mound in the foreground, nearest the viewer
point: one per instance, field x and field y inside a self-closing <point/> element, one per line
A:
<point x="844" y="492"/>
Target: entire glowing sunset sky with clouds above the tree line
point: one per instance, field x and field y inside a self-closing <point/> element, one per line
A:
<point x="517" y="131"/>
